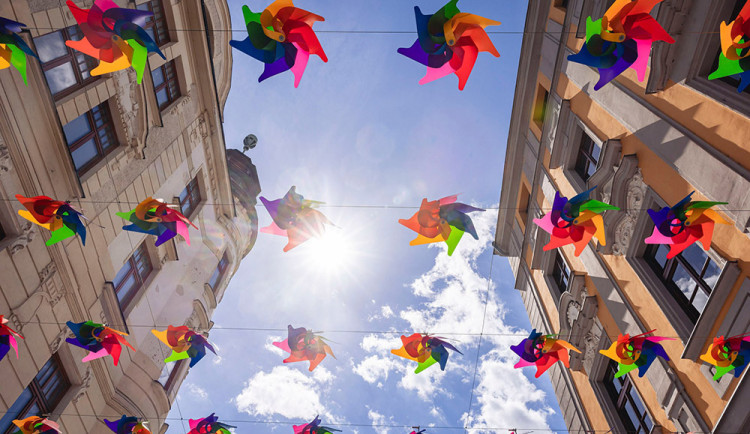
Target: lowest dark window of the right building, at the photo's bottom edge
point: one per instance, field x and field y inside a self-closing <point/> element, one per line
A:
<point x="629" y="406"/>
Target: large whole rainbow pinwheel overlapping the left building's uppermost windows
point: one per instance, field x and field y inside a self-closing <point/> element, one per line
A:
<point x="115" y="36"/>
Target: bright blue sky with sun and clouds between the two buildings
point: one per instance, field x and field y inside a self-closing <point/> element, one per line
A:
<point x="360" y="131"/>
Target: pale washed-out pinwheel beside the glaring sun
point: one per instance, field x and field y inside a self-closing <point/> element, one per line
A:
<point x="294" y="217"/>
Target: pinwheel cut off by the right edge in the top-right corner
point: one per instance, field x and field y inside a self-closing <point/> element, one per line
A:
<point x="733" y="59"/>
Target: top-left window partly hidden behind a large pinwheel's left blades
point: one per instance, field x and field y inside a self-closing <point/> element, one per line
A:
<point x="65" y="69"/>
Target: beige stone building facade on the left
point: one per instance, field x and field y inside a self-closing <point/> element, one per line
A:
<point x="106" y="143"/>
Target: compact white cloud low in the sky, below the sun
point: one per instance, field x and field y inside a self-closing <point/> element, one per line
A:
<point x="284" y="391"/>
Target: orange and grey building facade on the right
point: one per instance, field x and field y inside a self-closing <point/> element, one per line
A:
<point x="643" y="145"/>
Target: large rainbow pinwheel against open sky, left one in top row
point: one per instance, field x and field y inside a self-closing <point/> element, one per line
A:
<point x="281" y="37"/>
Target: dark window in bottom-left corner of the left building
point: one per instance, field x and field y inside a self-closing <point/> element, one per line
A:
<point x="41" y="396"/>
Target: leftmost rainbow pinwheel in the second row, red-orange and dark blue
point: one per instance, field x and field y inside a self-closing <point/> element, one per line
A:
<point x="57" y="216"/>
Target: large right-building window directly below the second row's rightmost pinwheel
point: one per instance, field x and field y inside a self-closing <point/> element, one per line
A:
<point x="690" y="276"/>
